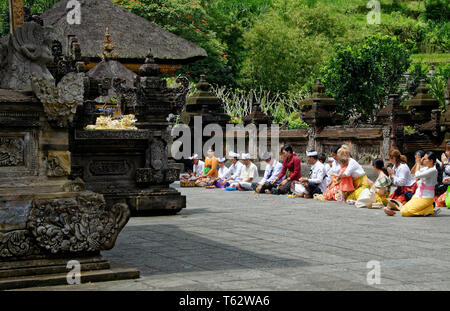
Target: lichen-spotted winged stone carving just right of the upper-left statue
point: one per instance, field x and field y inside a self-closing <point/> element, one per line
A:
<point x="61" y="101"/>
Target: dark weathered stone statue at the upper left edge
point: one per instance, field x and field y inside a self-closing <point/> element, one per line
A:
<point x="27" y="52"/>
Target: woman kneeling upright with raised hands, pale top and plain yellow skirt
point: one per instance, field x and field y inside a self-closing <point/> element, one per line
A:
<point x="421" y="203"/>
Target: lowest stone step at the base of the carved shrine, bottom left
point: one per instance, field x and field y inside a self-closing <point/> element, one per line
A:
<point x="114" y="273"/>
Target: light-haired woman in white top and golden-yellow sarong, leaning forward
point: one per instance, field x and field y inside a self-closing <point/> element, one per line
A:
<point x="355" y="170"/>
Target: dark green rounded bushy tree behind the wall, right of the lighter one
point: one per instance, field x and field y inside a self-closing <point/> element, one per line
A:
<point x="361" y="76"/>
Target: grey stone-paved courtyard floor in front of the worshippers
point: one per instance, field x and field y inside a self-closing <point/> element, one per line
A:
<point x="242" y="241"/>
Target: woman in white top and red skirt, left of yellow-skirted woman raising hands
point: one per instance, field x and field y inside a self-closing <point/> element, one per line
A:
<point x="401" y="178"/>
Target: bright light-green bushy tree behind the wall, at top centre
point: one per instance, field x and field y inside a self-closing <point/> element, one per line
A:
<point x="287" y="45"/>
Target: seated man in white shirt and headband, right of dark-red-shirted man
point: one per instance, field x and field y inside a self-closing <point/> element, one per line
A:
<point x="316" y="182"/>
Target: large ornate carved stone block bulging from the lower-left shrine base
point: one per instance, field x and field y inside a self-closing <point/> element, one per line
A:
<point x="80" y="224"/>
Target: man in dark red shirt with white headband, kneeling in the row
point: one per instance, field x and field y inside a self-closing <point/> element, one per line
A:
<point x="291" y="171"/>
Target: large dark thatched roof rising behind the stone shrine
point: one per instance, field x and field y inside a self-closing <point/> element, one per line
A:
<point x="132" y="35"/>
